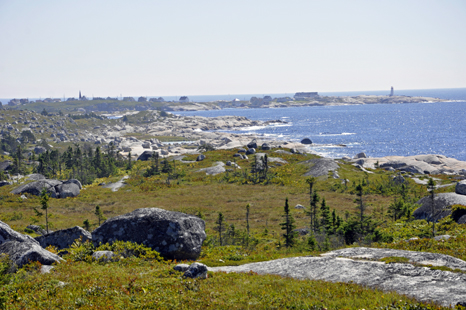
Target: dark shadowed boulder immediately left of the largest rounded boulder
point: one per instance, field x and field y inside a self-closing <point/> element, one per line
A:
<point x="63" y="239"/>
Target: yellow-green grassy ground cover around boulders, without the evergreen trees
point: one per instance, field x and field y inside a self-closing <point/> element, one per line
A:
<point x="138" y="283"/>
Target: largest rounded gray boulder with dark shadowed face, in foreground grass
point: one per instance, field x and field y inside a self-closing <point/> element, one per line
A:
<point x="174" y="235"/>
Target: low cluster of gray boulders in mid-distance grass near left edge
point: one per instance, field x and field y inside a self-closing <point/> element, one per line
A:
<point x="55" y="188"/>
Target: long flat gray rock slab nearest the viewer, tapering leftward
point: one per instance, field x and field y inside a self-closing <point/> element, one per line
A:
<point x="424" y="284"/>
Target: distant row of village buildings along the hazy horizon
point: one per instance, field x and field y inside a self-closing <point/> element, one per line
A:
<point x="183" y="99"/>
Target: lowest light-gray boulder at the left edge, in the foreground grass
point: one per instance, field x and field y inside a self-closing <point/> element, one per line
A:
<point x="22" y="253"/>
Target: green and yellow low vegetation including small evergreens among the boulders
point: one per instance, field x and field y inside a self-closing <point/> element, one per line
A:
<point x="369" y="209"/>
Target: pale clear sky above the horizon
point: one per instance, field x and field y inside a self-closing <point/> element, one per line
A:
<point x="155" y="48"/>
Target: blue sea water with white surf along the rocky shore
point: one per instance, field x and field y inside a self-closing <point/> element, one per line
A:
<point x="377" y="130"/>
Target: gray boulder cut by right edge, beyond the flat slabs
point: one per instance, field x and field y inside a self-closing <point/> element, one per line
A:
<point x="442" y="202"/>
